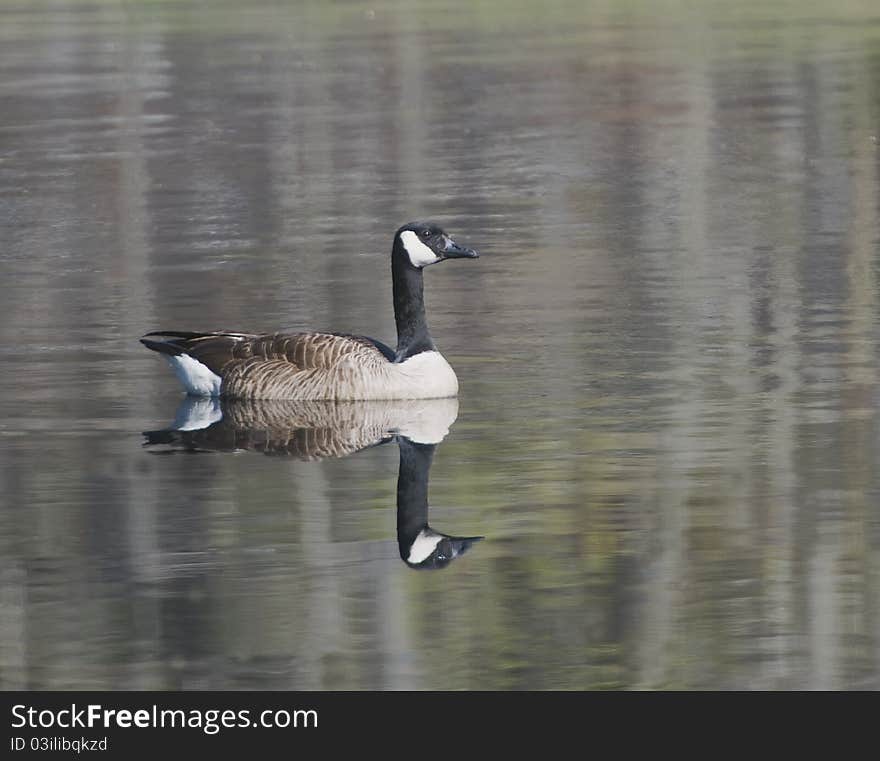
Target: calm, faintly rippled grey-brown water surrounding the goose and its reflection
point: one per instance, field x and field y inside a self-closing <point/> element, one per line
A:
<point x="668" y="426"/>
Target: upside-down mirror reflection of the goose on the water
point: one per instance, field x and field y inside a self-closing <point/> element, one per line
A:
<point x="317" y="430"/>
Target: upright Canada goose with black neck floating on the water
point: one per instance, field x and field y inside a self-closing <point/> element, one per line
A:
<point x="328" y="365"/>
